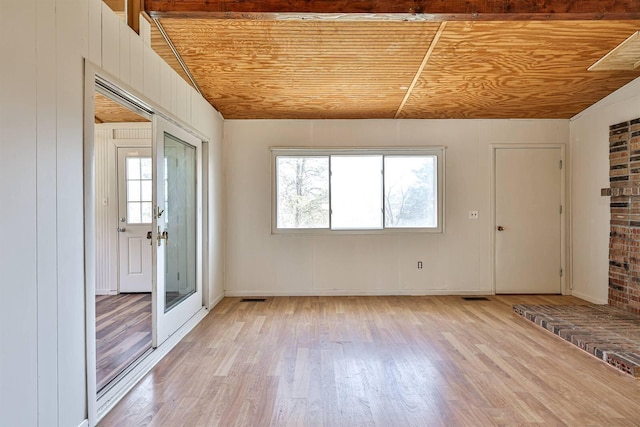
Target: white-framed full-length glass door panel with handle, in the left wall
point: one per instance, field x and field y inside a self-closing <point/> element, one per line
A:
<point x="177" y="228"/>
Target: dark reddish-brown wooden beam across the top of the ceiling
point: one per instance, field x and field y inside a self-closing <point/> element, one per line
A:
<point x="434" y="10"/>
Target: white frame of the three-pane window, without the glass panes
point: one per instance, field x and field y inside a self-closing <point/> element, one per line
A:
<point x="438" y="151"/>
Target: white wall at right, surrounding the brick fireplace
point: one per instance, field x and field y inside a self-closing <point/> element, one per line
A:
<point x="590" y="172"/>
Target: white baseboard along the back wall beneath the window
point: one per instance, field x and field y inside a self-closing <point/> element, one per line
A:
<point x="338" y="292"/>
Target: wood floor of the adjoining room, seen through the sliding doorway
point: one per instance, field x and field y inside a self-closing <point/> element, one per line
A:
<point x="123" y="333"/>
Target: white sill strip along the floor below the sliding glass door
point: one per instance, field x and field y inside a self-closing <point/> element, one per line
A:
<point x="119" y="390"/>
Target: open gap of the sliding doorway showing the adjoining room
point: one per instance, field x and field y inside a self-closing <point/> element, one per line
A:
<point x="123" y="209"/>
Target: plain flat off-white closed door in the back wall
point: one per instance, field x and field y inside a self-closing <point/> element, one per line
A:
<point x="528" y="213"/>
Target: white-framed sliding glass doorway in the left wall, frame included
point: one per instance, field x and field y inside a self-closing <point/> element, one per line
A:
<point x="177" y="235"/>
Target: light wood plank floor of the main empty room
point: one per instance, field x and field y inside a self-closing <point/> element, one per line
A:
<point x="378" y="361"/>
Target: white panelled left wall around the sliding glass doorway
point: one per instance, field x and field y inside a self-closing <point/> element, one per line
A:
<point x="42" y="314"/>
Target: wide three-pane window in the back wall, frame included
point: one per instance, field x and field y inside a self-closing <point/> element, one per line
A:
<point x="351" y="190"/>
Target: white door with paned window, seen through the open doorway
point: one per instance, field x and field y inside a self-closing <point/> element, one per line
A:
<point x="135" y="214"/>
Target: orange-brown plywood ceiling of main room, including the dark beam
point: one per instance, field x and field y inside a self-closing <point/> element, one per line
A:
<point x="253" y="60"/>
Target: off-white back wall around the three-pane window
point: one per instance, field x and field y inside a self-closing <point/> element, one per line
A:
<point x="258" y="263"/>
